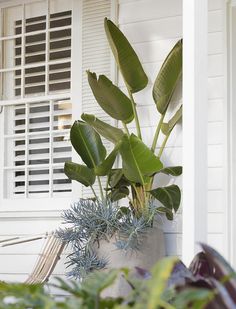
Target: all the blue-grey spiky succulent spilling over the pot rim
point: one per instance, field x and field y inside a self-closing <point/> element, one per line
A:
<point x="89" y="221"/>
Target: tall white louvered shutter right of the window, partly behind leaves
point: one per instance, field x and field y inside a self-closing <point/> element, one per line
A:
<point x="96" y="58"/>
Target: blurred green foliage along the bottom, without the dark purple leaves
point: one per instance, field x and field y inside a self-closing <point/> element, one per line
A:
<point x="151" y="293"/>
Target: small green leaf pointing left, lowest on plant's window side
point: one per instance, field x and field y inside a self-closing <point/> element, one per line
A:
<point x="80" y="173"/>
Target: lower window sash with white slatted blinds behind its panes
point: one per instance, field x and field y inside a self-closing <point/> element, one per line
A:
<point x="45" y="148"/>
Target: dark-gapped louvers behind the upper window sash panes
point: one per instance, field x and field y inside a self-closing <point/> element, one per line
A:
<point x="59" y="50"/>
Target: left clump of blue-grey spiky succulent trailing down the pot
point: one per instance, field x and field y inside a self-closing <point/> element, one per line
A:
<point x="89" y="221"/>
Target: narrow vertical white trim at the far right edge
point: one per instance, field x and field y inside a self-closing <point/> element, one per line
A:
<point x="230" y="143"/>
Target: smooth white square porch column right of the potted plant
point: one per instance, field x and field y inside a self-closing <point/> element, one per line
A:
<point x="195" y="15"/>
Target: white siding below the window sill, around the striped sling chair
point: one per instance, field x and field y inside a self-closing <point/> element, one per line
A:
<point x="16" y="262"/>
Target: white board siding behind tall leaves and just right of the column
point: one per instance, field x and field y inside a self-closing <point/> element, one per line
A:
<point x="153" y="26"/>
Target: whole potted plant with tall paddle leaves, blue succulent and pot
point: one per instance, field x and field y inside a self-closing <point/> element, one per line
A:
<point x="104" y="229"/>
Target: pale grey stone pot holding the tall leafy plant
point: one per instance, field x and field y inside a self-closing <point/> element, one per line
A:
<point x="151" y="250"/>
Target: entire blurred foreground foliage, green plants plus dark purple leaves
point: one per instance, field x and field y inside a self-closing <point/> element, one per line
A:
<point x="209" y="283"/>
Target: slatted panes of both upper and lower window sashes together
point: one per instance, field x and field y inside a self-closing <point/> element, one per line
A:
<point x="40" y="119"/>
